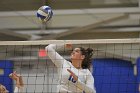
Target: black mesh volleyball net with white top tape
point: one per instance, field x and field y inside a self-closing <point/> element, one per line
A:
<point x="114" y="66"/>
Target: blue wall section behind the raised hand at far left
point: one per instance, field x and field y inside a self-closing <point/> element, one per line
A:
<point x="7" y="66"/>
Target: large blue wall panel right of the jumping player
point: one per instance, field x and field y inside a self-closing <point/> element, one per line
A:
<point x="114" y="76"/>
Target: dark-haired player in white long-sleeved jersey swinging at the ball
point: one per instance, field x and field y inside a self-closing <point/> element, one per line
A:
<point x="74" y="76"/>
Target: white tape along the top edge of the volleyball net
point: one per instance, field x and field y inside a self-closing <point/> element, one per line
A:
<point x="92" y="41"/>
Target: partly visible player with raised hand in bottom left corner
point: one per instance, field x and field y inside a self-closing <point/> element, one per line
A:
<point x="19" y="84"/>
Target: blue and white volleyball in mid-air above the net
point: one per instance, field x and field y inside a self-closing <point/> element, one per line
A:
<point x="44" y="13"/>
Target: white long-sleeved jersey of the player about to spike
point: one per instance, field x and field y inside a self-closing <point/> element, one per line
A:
<point x="85" y="82"/>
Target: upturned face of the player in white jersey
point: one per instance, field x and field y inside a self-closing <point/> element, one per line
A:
<point x="76" y="54"/>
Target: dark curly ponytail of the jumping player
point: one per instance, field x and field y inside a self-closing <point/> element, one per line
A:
<point x="88" y="55"/>
